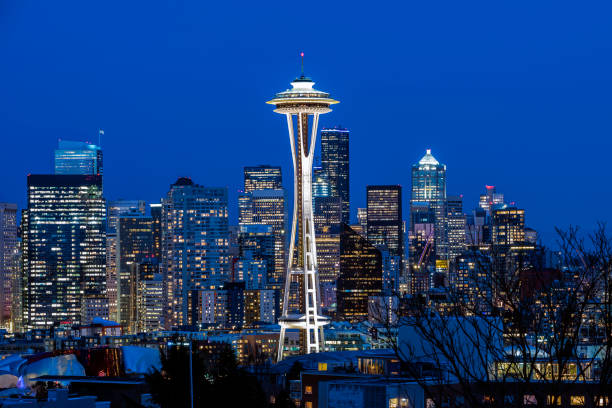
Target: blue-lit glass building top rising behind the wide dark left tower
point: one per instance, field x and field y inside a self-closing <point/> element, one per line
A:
<point x="78" y="158"/>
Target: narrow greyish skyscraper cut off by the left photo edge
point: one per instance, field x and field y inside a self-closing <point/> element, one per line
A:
<point x="9" y="250"/>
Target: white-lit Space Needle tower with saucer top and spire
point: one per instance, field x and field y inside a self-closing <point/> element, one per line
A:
<point x="304" y="103"/>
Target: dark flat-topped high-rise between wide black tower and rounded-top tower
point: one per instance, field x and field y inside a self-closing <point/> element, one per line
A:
<point x="135" y="246"/>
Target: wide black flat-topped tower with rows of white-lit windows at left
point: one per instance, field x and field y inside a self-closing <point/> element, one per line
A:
<point x="64" y="250"/>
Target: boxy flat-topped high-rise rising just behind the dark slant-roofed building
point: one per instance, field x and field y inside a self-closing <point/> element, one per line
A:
<point x="385" y="227"/>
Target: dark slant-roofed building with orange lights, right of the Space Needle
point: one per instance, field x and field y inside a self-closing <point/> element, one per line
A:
<point x="360" y="275"/>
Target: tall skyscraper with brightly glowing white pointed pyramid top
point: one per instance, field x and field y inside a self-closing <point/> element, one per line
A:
<point x="429" y="186"/>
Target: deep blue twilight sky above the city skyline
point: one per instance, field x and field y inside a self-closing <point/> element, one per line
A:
<point x="512" y="93"/>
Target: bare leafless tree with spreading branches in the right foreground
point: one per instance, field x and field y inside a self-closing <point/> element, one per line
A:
<point x="509" y="332"/>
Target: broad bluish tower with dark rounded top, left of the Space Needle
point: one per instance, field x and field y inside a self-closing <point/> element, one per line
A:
<point x="194" y="245"/>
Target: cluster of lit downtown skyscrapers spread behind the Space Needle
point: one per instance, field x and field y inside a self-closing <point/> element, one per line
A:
<point x="82" y="257"/>
